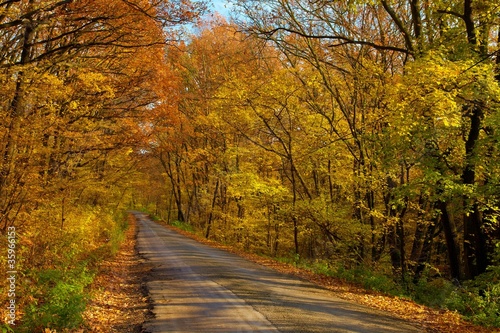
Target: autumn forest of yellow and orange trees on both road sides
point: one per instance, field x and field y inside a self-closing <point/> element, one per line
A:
<point x="359" y="138"/>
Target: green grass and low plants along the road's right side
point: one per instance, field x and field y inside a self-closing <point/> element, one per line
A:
<point x="477" y="301"/>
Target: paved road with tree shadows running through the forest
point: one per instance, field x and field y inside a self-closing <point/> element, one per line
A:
<point x="196" y="288"/>
